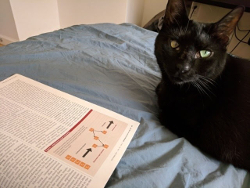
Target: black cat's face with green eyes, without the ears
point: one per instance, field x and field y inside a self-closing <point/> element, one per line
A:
<point x="190" y="53"/>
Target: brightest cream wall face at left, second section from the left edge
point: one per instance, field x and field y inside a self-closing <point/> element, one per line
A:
<point x="33" y="17"/>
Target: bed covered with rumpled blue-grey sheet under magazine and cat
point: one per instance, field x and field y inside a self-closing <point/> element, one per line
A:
<point x="114" y="66"/>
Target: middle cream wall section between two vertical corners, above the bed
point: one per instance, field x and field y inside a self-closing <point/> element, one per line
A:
<point x="75" y="12"/>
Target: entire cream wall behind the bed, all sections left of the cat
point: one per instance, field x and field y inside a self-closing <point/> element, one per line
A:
<point x="22" y="19"/>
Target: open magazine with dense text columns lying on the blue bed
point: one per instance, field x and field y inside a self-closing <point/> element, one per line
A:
<point x="49" y="138"/>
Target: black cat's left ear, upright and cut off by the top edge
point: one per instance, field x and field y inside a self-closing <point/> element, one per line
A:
<point x="175" y="13"/>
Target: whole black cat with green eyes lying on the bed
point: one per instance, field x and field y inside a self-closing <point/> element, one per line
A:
<point x="204" y="93"/>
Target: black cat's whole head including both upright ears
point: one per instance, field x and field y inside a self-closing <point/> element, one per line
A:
<point x="187" y="51"/>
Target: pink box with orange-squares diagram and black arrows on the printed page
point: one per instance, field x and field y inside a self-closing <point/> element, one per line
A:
<point x="87" y="145"/>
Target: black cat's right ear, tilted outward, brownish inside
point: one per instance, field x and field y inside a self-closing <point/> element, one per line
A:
<point x="225" y="27"/>
